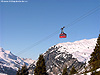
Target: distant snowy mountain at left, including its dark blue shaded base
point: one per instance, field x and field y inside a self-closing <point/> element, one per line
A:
<point x="9" y="63"/>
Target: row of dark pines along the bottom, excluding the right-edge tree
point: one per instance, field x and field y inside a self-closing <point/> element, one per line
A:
<point x="40" y="68"/>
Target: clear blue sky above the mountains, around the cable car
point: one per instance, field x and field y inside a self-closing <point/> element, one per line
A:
<point x="24" y="24"/>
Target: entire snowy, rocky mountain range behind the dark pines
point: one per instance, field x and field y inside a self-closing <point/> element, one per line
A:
<point x="56" y="57"/>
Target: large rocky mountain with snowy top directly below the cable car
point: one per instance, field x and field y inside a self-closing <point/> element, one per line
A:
<point x="70" y="54"/>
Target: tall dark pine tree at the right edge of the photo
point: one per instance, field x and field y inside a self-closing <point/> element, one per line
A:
<point x="95" y="56"/>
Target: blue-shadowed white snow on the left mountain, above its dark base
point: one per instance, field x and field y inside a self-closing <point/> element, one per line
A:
<point x="10" y="60"/>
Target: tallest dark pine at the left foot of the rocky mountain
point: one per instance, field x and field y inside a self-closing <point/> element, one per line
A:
<point x="40" y="66"/>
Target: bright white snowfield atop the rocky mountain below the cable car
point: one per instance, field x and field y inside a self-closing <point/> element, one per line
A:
<point x="79" y="49"/>
